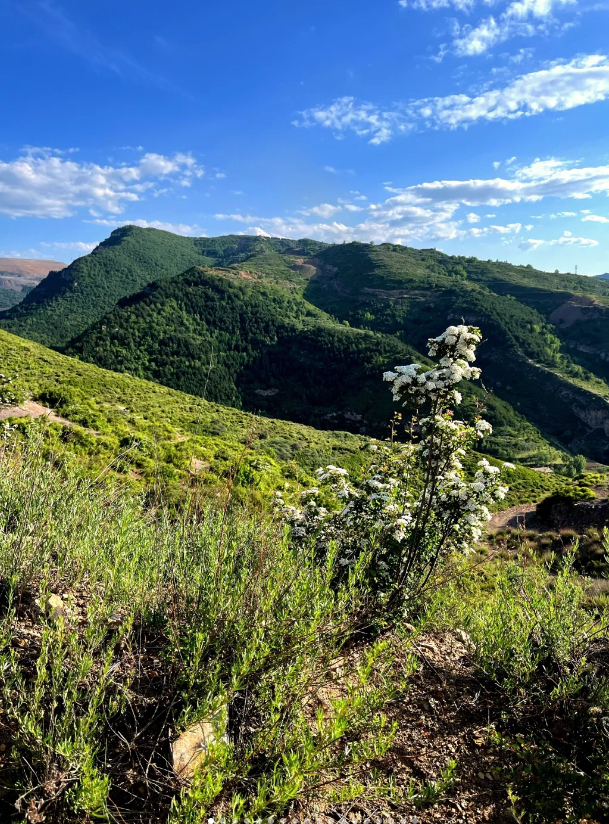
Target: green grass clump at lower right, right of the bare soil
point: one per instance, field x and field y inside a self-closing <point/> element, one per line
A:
<point x="543" y="653"/>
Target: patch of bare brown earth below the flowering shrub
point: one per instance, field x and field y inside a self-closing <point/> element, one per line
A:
<point x="447" y="715"/>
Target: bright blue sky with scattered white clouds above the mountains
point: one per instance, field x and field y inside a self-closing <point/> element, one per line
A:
<point x="479" y="127"/>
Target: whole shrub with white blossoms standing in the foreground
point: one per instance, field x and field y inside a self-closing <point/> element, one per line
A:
<point x="414" y="503"/>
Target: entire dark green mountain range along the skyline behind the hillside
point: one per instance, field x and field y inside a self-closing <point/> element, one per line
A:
<point x="301" y="330"/>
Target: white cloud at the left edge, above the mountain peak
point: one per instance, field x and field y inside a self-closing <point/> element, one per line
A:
<point x="47" y="185"/>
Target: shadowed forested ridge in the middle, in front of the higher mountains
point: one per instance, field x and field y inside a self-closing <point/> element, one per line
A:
<point x="242" y="340"/>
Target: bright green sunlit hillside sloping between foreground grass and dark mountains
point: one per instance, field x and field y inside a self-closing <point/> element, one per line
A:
<point x="152" y="435"/>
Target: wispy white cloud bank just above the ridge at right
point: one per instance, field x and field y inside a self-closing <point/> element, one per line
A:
<point x="440" y="210"/>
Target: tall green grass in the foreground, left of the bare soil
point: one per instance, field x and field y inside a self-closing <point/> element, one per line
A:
<point x="246" y="628"/>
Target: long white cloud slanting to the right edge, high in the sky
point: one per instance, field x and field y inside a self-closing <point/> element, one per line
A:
<point x="559" y="87"/>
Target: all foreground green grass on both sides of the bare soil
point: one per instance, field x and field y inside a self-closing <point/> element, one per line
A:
<point x="211" y="614"/>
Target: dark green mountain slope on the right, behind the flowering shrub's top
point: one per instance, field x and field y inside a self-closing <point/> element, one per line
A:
<point x="528" y="361"/>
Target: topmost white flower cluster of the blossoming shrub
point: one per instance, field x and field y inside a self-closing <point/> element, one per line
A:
<point x="455" y="350"/>
